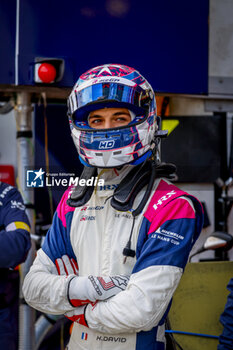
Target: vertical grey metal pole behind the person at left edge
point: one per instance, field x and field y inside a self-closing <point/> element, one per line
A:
<point x="25" y="159"/>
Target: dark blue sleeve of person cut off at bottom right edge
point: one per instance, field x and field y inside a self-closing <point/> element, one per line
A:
<point x="226" y="338"/>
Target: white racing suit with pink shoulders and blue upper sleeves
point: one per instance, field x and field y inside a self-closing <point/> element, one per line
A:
<point x="95" y="236"/>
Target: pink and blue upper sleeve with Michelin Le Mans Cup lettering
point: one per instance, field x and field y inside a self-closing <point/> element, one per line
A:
<point x="168" y="242"/>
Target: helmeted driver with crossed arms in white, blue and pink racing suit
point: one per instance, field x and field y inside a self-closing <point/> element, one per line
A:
<point x="115" y="253"/>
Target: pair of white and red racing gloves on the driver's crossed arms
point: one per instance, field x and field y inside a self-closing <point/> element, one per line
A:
<point x="88" y="289"/>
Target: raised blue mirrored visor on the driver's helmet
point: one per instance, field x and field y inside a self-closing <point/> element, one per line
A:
<point x="108" y="95"/>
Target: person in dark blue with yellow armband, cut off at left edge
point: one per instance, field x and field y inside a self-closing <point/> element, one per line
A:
<point x="14" y="245"/>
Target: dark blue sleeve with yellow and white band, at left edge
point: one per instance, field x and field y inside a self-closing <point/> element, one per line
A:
<point x="14" y="235"/>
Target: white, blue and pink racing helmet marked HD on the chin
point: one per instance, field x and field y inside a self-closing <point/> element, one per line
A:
<point x="112" y="86"/>
